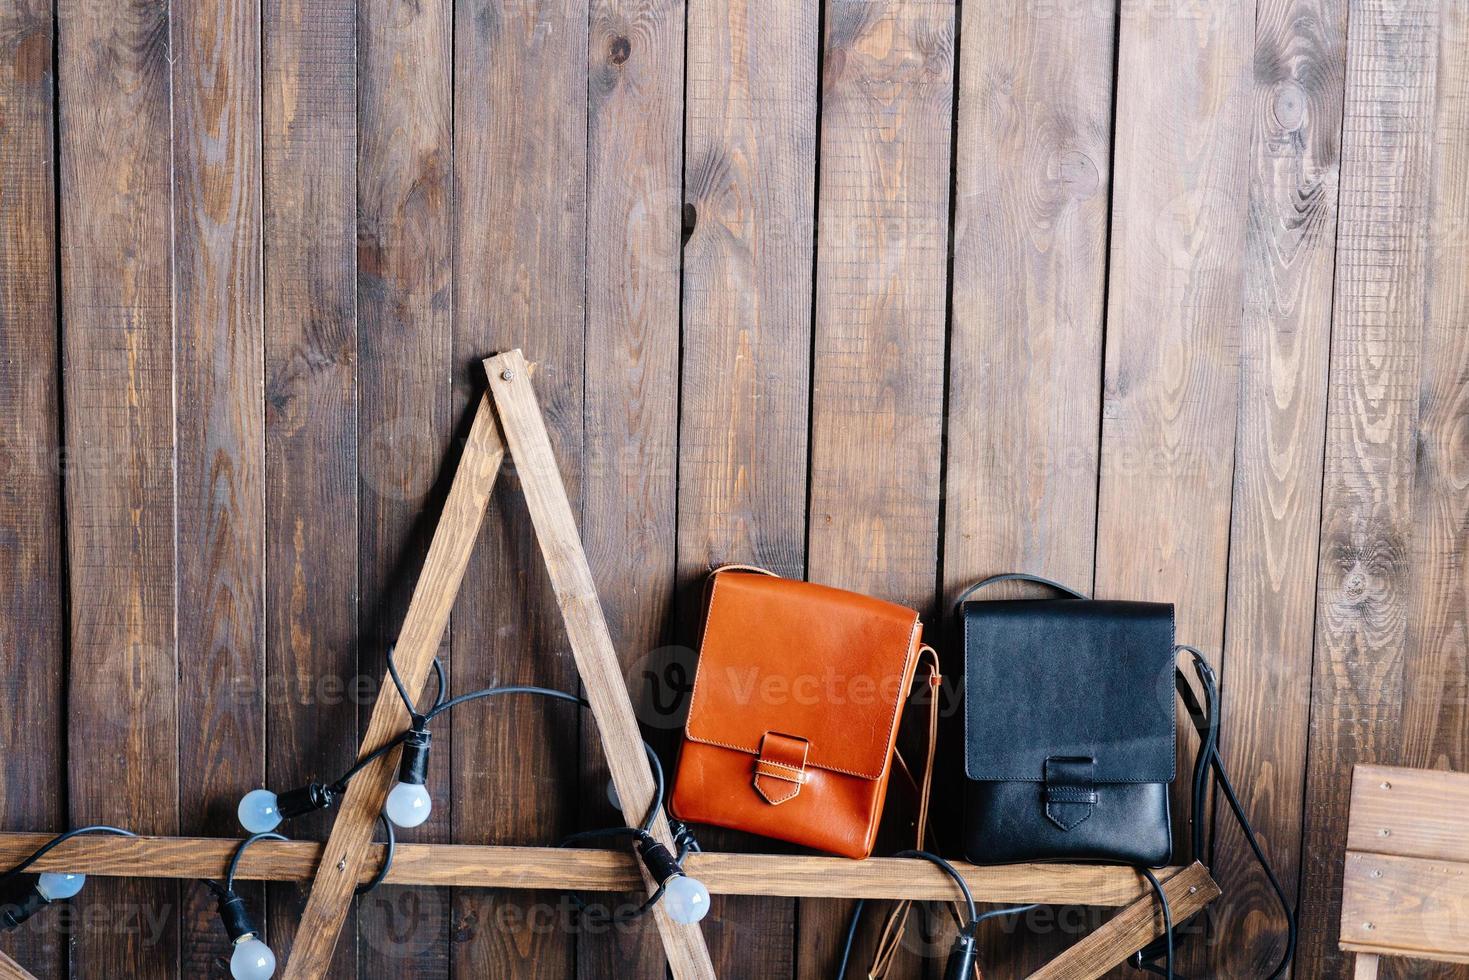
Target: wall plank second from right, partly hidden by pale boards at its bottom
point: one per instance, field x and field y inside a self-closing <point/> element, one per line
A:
<point x="1367" y="538"/>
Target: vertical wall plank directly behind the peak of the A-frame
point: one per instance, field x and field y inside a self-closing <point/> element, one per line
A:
<point x="519" y="281"/>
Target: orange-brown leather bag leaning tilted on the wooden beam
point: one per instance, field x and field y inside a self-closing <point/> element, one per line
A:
<point x="795" y="710"/>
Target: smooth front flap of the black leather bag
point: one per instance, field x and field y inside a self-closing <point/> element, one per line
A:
<point x="1069" y="678"/>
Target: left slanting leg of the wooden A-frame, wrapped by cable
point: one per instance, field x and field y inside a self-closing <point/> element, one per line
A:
<point x="424" y="628"/>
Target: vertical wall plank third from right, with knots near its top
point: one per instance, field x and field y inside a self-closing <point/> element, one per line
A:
<point x="1289" y="265"/>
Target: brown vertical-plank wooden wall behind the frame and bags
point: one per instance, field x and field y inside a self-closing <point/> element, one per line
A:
<point x="1163" y="300"/>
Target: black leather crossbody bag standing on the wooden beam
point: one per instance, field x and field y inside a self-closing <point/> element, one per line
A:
<point x="1069" y="728"/>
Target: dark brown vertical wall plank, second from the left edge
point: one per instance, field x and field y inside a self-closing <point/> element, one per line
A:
<point x="118" y="372"/>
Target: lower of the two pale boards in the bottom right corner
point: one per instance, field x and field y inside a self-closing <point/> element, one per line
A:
<point x="1407" y="907"/>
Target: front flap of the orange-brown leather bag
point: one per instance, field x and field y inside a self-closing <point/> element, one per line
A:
<point x="807" y="662"/>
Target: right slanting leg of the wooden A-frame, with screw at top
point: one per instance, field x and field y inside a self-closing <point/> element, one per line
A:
<point x="571" y="574"/>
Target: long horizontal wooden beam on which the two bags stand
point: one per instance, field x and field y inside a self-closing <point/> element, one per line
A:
<point x="557" y="869"/>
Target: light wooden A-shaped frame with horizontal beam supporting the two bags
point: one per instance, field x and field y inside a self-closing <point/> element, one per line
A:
<point x="509" y="421"/>
